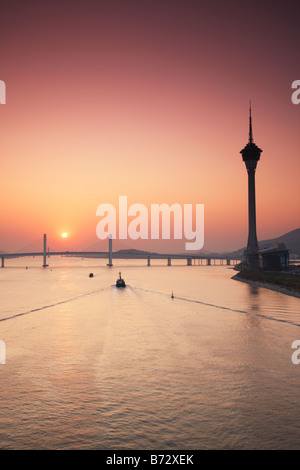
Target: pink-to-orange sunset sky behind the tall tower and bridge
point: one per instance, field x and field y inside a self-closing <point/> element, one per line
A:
<point x="148" y="99"/>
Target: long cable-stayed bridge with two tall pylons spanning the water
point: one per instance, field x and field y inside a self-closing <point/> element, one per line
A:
<point x="46" y="253"/>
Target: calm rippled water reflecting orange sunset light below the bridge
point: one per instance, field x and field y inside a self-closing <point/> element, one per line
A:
<point x="89" y="366"/>
